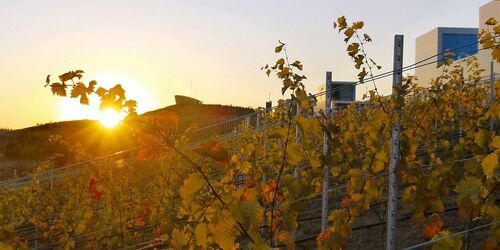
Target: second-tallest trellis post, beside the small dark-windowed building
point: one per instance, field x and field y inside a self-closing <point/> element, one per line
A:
<point x="326" y="149"/>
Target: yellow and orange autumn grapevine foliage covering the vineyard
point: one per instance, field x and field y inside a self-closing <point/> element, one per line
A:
<point x="172" y="194"/>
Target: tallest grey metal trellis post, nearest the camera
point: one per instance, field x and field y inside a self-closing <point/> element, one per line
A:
<point x="393" y="182"/>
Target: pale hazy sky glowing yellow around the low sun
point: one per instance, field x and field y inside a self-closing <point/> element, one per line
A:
<point x="210" y="49"/>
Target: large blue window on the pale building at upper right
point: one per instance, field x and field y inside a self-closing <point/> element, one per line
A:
<point x="462" y="45"/>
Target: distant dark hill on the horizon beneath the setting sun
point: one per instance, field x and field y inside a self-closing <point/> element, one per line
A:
<point x="23" y="148"/>
